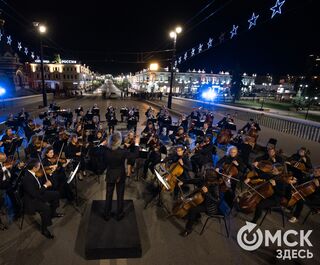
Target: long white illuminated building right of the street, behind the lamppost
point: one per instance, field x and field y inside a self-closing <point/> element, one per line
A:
<point x="190" y="82"/>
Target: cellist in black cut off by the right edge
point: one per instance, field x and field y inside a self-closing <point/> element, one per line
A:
<point x="312" y="200"/>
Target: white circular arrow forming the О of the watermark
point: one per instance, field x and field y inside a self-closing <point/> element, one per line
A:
<point x="244" y="242"/>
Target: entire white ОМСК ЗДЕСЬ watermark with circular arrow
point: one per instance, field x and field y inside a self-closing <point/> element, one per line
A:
<point x="288" y="241"/>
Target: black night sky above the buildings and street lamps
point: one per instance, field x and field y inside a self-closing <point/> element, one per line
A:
<point x="108" y="35"/>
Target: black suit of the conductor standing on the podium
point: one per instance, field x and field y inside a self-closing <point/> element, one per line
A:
<point x="116" y="175"/>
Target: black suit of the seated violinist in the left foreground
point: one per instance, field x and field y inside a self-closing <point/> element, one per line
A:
<point x="39" y="199"/>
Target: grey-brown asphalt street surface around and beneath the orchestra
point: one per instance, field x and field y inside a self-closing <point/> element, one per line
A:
<point x="161" y="242"/>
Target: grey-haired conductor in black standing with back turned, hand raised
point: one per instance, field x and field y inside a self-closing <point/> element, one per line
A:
<point x="115" y="158"/>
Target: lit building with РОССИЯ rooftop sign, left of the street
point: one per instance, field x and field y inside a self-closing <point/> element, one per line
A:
<point x="66" y="75"/>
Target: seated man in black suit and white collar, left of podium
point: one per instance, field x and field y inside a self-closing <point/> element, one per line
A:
<point x="37" y="197"/>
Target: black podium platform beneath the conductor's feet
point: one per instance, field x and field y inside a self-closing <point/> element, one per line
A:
<point x="113" y="239"/>
